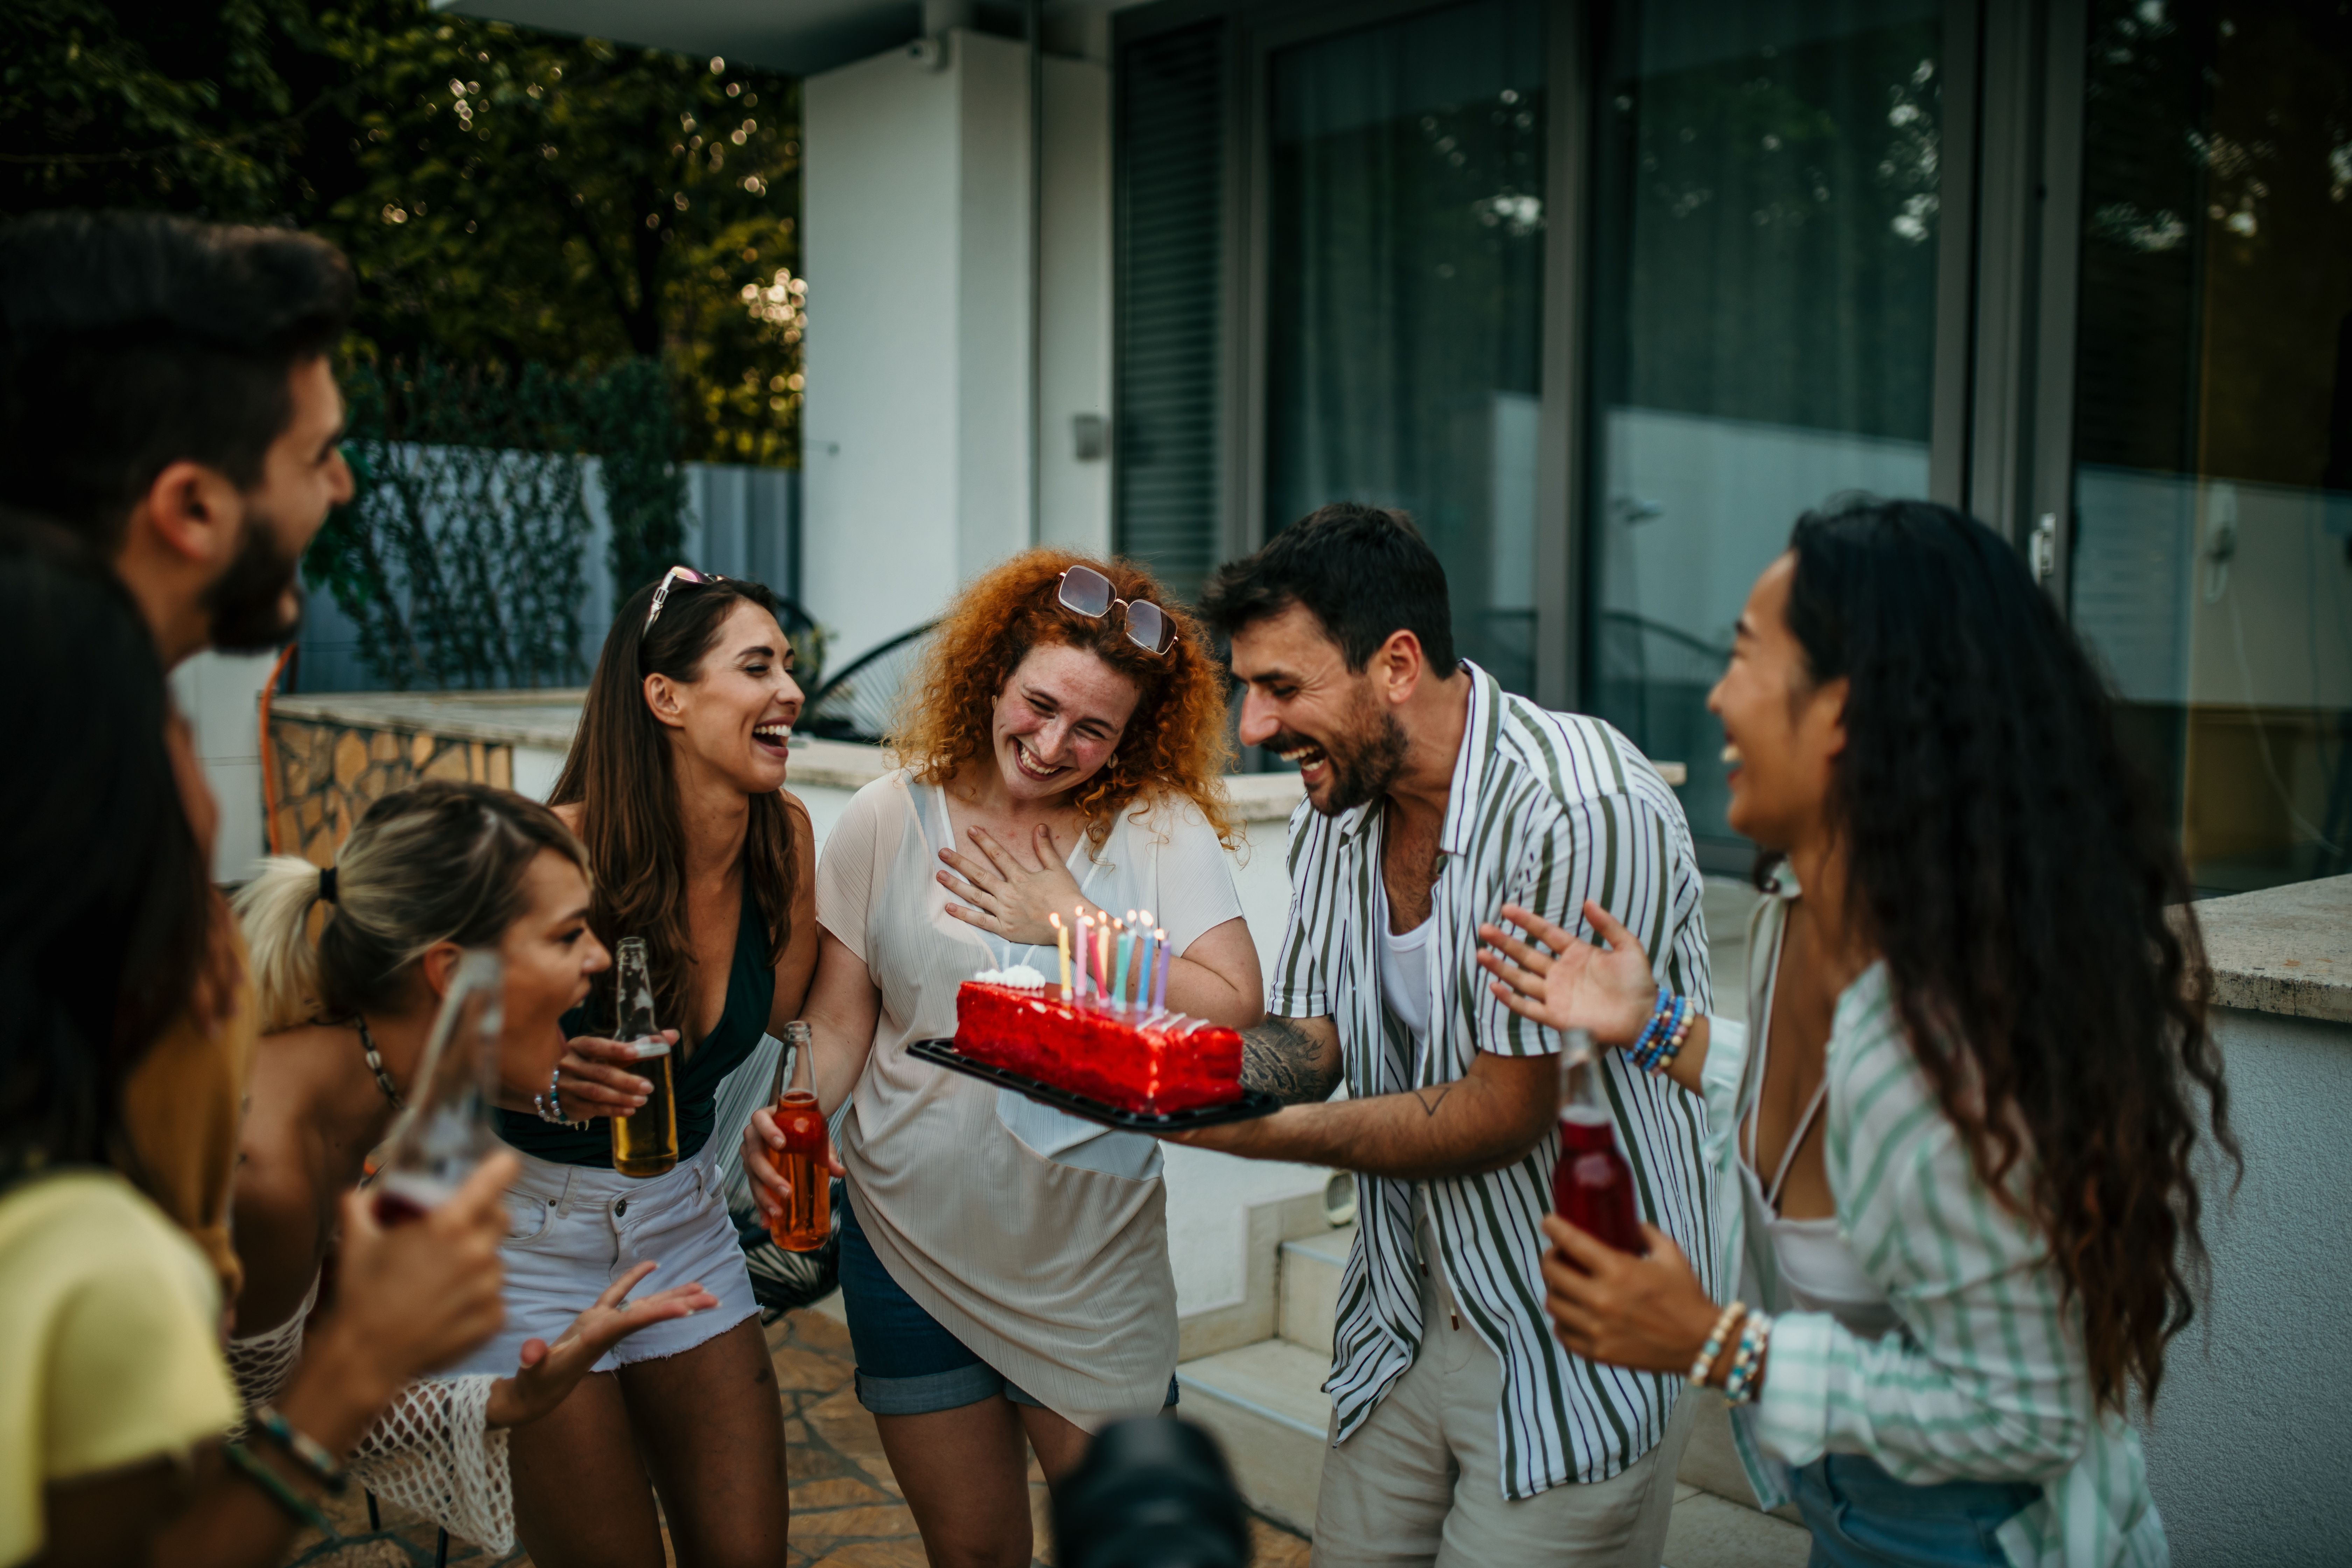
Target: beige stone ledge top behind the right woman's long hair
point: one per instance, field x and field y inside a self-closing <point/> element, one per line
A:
<point x="2283" y="951"/>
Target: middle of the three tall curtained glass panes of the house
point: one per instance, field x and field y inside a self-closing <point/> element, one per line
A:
<point x="1763" y="323"/>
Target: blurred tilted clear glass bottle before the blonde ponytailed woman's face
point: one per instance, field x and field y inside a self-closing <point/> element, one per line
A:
<point x="446" y="1127"/>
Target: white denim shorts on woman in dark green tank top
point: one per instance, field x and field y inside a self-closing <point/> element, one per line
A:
<point x="575" y="1231"/>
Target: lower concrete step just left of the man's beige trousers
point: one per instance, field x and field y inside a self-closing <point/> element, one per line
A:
<point x="1267" y="1407"/>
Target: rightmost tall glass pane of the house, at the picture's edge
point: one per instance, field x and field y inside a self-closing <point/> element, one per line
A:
<point x="2212" y="556"/>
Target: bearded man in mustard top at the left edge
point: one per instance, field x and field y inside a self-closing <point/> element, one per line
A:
<point x="168" y="398"/>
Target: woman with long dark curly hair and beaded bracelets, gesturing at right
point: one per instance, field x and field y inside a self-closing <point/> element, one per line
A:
<point x="1963" y="1115"/>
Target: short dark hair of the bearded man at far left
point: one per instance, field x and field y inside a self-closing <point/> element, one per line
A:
<point x="131" y="342"/>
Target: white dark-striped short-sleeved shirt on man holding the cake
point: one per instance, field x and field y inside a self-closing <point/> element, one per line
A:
<point x="1546" y="810"/>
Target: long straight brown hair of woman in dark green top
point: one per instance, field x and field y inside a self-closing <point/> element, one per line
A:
<point x="620" y="777"/>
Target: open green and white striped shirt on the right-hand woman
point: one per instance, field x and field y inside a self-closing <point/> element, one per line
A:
<point x="1989" y="1379"/>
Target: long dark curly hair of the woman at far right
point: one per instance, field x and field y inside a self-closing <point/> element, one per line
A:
<point x="2012" y="866"/>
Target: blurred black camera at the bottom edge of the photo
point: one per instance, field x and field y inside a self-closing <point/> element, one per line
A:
<point x="1151" y="1494"/>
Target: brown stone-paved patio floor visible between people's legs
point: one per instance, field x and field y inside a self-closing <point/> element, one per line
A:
<point x="846" y="1503"/>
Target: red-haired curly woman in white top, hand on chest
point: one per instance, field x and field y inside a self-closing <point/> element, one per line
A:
<point x="1005" y="1266"/>
